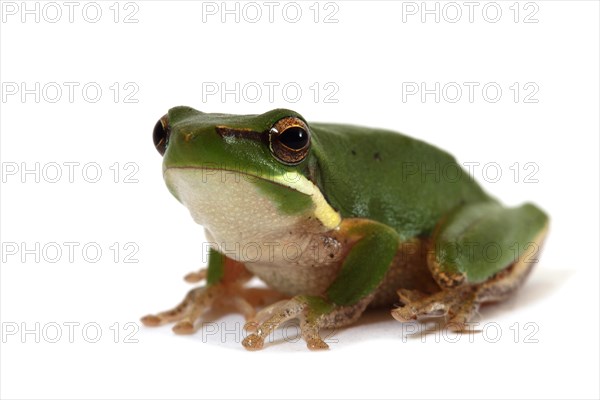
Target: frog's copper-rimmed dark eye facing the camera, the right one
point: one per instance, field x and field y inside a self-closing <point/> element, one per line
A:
<point x="289" y="140"/>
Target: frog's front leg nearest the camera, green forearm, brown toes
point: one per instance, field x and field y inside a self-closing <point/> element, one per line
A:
<point x="369" y="250"/>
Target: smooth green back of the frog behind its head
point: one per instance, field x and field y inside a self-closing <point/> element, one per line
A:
<point x="394" y="179"/>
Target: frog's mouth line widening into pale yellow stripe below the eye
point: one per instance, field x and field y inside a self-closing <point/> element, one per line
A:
<point x="291" y="180"/>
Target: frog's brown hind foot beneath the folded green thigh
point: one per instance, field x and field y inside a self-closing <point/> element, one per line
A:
<point x="458" y="304"/>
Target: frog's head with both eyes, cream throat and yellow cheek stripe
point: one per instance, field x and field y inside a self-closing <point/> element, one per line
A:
<point x="236" y="169"/>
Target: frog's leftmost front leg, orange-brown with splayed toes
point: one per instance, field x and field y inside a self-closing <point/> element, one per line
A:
<point x="225" y="279"/>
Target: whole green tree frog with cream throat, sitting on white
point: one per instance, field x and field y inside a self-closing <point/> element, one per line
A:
<point x="335" y="219"/>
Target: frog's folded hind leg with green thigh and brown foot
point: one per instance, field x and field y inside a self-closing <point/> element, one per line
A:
<point x="479" y="253"/>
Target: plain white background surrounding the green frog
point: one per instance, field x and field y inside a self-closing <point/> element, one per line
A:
<point x="169" y="54"/>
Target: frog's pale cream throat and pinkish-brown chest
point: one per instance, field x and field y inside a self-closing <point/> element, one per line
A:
<point x="291" y="253"/>
